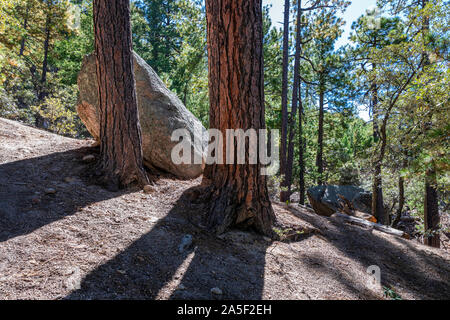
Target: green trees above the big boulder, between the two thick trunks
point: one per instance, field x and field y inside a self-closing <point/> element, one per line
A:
<point x="170" y="35"/>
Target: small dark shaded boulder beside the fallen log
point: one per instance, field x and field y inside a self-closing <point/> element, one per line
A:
<point x="327" y="200"/>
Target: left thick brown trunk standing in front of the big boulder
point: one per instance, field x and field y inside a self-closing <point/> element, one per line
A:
<point x="121" y="161"/>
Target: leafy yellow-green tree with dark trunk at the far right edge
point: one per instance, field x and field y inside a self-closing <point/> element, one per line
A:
<point x="427" y="98"/>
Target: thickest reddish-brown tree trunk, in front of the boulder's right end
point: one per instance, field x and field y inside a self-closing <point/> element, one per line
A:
<point x="238" y="195"/>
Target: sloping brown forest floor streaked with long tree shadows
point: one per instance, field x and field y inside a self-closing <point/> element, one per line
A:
<point x="64" y="238"/>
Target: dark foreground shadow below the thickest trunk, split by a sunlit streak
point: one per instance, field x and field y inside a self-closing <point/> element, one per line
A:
<point x="154" y="268"/>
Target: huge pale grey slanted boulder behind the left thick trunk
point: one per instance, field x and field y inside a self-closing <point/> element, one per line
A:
<point x="160" y="113"/>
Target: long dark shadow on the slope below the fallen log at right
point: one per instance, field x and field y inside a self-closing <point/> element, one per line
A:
<point x="423" y="274"/>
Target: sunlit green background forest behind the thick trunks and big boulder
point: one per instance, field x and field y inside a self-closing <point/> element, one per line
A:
<point x="391" y="67"/>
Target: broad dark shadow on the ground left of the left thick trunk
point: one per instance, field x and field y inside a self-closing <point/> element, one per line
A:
<point x="26" y="203"/>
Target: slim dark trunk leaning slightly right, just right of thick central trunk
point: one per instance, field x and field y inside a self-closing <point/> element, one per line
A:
<point x="295" y="96"/>
